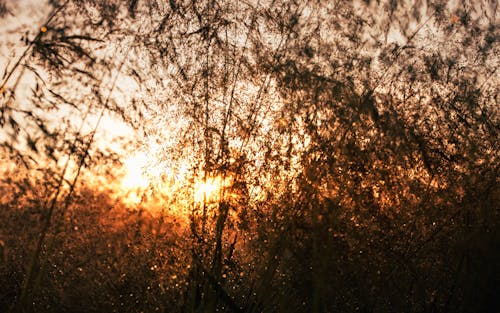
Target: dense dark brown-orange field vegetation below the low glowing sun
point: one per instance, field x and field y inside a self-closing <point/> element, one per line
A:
<point x="438" y="255"/>
